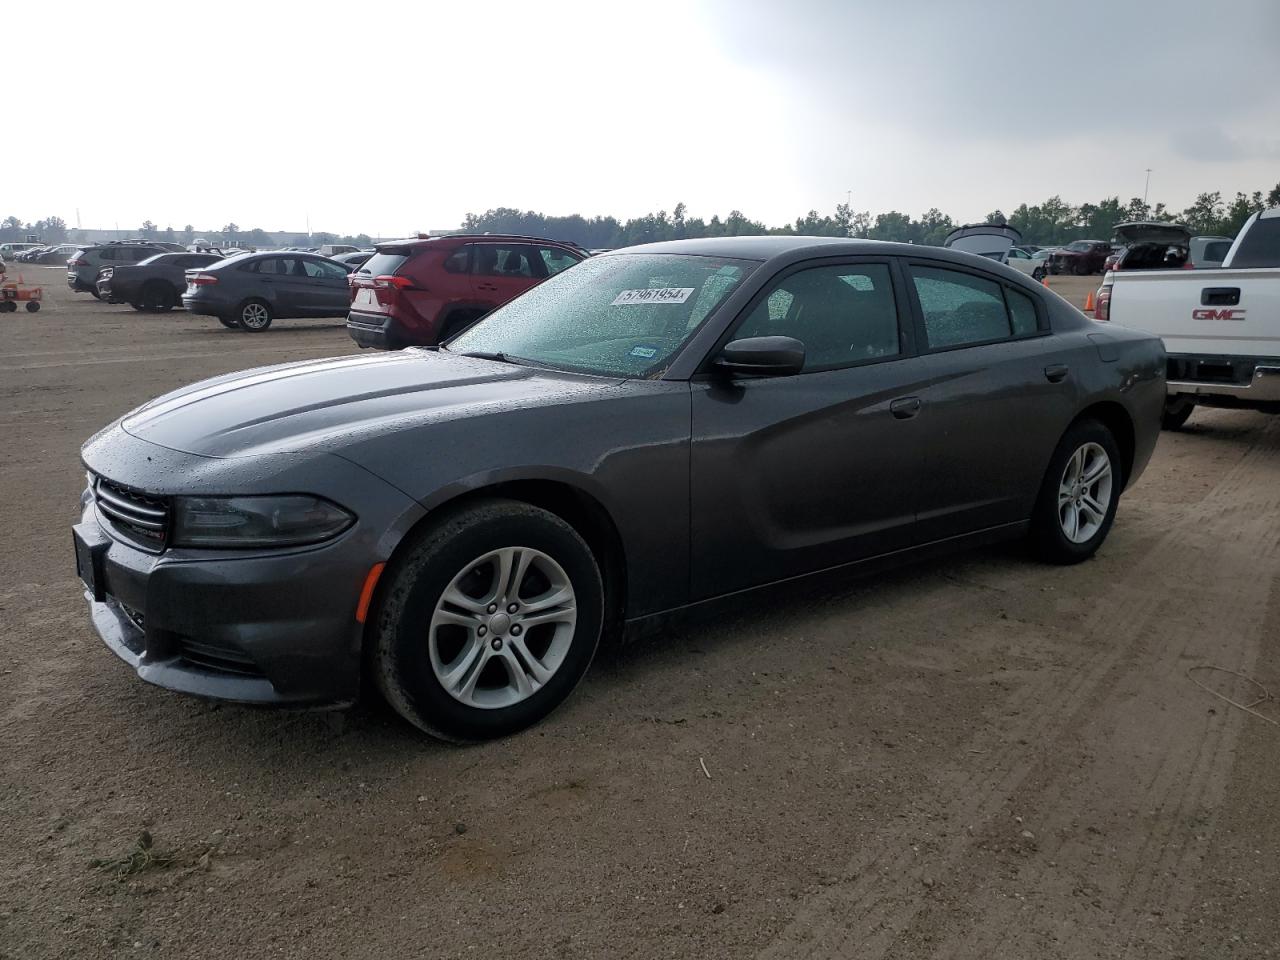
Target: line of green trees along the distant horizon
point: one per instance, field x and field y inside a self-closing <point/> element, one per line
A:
<point x="1048" y="223"/>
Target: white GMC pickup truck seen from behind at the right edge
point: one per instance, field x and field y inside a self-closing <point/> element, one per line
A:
<point x="1220" y="327"/>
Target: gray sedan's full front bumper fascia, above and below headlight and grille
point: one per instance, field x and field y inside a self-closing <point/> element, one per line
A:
<point x="263" y="627"/>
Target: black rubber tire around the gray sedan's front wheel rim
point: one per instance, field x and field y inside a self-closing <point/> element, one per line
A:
<point x="401" y="639"/>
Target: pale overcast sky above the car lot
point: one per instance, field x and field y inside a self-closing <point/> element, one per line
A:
<point x="395" y="117"/>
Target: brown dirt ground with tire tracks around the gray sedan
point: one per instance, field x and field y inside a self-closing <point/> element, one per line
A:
<point x="981" y="757"/>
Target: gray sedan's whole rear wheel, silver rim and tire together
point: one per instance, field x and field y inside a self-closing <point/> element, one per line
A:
<point x="1080" y="495"/>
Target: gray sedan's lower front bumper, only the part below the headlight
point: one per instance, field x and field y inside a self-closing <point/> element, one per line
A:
<point x="267" y="630"/>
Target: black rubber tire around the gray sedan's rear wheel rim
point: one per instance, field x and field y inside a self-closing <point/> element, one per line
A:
<point x="1049" y="536"/>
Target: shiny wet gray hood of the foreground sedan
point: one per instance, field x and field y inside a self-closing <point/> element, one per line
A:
<point x="327" y="405"/>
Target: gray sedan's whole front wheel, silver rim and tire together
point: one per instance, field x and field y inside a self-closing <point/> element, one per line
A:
<point x="488" y="621"/>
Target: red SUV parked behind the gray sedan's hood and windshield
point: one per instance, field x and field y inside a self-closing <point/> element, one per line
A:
<point x="420" y="292"/>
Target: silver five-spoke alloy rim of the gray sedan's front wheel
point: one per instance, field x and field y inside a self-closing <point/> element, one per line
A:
<point x="502" y="628"/>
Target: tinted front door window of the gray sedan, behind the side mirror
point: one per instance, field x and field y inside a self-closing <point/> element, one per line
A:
<point x="843" y="314"/>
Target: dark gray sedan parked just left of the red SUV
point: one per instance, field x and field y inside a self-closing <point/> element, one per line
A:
<point x="254" y="290"/>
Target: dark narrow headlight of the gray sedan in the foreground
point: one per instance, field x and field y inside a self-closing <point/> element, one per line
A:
<point x="257" y="522"/>
